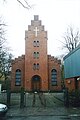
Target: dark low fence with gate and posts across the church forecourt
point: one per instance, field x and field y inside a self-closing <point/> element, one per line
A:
<point x="37" y="99"/>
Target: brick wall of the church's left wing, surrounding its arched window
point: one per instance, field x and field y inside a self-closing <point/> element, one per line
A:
<point x="18" y="63"/>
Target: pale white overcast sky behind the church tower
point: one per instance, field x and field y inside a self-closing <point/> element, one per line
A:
<point x="56" y="16"/>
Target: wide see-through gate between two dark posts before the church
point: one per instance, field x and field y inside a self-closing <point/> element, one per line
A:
<point x="42" y="99"/>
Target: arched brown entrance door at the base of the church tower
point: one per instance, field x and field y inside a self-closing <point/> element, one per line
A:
<point x="36" y="83"/>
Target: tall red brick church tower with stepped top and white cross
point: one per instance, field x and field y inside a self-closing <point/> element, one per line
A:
<point x="36" y="61"/>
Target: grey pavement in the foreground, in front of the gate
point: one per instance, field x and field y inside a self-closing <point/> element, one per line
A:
<point x="43" y="113"/>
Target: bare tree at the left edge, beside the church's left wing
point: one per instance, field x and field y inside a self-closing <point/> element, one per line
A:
<point x="5" y="56"/>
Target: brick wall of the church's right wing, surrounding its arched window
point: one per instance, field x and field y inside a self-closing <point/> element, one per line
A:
<point x="54" y="63"/>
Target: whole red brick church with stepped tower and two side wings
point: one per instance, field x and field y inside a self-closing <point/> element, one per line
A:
<point x="36" y="70"/>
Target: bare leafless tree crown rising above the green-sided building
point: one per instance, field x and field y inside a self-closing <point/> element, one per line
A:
<point x="72" y="39"/>
